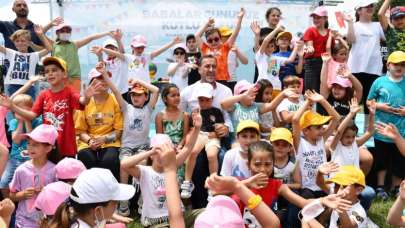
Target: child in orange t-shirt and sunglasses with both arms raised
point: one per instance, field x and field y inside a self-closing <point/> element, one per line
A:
<point x="214" y="45"/>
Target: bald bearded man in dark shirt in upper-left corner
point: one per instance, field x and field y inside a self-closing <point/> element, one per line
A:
<point x="7" y="28"/>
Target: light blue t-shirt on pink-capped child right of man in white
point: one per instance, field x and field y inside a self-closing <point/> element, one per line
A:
<point x="240" y="113"/>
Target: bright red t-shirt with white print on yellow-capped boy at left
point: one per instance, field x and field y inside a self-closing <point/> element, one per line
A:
<point x="57" y="109"/>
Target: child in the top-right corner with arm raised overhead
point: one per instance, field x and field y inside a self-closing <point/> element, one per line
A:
<point x="396" y="29"/>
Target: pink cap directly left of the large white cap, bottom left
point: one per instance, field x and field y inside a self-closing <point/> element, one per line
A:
<point x="51" y="196"/>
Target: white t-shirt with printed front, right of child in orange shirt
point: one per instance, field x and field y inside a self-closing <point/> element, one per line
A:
<point x="269" y="68"/>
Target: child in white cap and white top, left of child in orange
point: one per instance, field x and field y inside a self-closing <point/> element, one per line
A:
<point x="179" y="70"/>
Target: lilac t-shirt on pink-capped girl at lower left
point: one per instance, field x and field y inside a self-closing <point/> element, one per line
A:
<point x="26" y="176"/>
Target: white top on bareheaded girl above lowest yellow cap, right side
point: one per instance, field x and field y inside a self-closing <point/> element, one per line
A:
<point x="346" y="155"/>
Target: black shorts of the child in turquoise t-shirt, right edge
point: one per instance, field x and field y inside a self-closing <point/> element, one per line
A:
<point x="387" y="156"/>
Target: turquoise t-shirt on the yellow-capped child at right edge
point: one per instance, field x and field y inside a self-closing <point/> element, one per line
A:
<point x="384" y="90"/>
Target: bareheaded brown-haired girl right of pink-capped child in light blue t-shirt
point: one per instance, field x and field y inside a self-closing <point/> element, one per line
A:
<point x="267" y="120"/>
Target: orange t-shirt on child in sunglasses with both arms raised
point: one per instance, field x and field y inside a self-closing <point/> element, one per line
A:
<point x="221" y="54"/>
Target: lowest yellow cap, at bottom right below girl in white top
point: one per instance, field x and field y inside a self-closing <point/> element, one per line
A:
<point x="348" y="175"/>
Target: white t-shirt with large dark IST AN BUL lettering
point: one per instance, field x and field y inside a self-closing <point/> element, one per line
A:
<point x="22" y="66"/>
